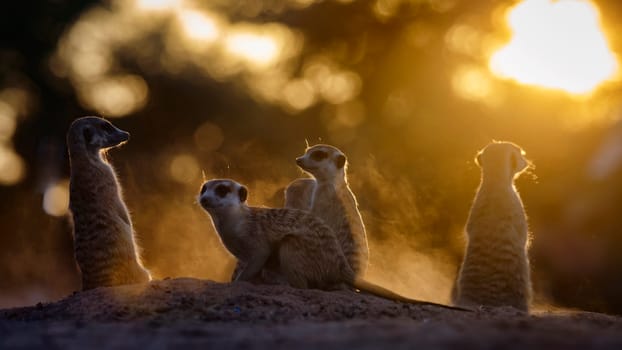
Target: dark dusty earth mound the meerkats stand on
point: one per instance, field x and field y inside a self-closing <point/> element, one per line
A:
<point x="191" y="313"/>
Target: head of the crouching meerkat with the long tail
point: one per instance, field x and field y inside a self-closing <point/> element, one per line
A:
<point x="222" y="193"/>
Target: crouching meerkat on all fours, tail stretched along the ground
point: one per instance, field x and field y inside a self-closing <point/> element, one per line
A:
<point x="307" y="252"/>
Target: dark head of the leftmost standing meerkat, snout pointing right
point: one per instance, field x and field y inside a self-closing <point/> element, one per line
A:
<point x="95" y="134"/>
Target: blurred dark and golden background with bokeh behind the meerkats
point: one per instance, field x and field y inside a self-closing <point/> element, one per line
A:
<point x="410" y="90"/>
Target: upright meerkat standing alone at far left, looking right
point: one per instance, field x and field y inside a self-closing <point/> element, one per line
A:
<point x="104" y="243"/>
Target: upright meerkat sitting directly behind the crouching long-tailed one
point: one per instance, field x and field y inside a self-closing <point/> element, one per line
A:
<point x="329" y="197"/>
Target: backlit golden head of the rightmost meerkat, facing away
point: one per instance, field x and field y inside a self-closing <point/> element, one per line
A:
<point x="502" y="159"/>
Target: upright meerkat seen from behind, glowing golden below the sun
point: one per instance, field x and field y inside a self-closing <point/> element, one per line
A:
<point x="495" y="269"/>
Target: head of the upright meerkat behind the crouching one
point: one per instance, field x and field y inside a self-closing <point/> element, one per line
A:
<point x="323" y="162"/>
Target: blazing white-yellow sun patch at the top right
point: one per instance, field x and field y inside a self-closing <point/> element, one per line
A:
<point x="557" y="45"/>
